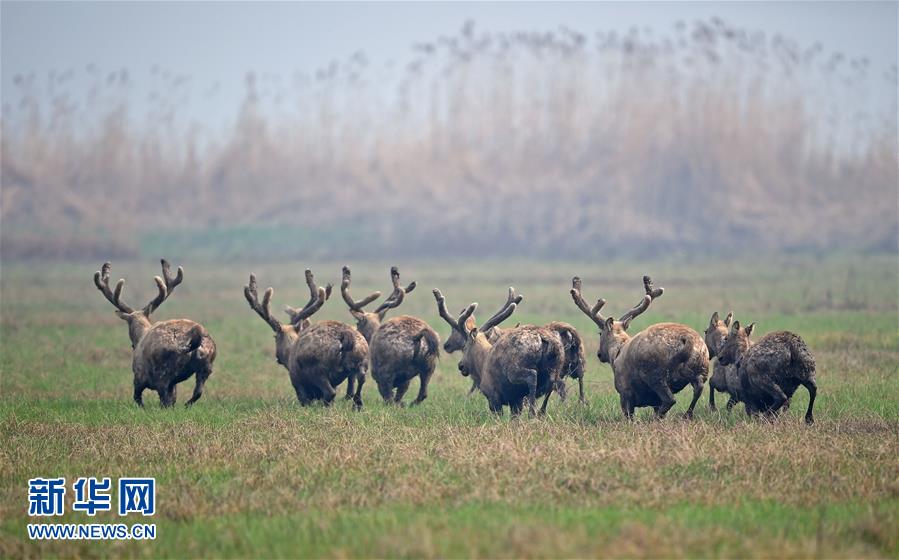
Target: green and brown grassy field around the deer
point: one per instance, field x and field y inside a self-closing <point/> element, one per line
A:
<point x="247" y="472"/>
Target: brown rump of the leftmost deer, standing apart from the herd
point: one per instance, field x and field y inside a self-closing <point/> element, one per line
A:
<point x="171" y="352"/>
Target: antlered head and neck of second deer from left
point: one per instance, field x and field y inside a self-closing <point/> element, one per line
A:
<point x="286" y="335"/>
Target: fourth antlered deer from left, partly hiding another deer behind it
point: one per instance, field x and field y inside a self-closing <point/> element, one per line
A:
<point x="525" y="362"/>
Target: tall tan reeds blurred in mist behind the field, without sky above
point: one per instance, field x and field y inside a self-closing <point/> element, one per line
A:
<point x="706" y="139"/>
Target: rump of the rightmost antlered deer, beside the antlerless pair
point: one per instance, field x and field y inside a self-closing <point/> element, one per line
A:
<point x="665" y="352"/>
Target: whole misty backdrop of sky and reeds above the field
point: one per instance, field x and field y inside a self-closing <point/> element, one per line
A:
<point x="313" y="130"/>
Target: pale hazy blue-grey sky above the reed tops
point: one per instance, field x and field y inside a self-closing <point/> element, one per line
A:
<point x="218" y="42"/>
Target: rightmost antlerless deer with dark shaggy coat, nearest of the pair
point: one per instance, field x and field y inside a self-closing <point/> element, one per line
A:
<point x="769" y="370"/>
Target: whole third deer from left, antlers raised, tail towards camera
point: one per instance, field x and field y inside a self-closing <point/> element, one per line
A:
<point x="402" y="348"/>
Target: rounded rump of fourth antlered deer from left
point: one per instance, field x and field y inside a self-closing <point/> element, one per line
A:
<point x="514" y="357"/>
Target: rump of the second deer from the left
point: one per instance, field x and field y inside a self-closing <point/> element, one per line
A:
<point x="329" y="350"/>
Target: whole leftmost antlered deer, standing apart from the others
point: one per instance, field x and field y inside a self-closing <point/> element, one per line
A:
<point x="165" y="353"/>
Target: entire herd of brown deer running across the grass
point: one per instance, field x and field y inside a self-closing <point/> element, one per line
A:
<point x="510" y="366"/>
